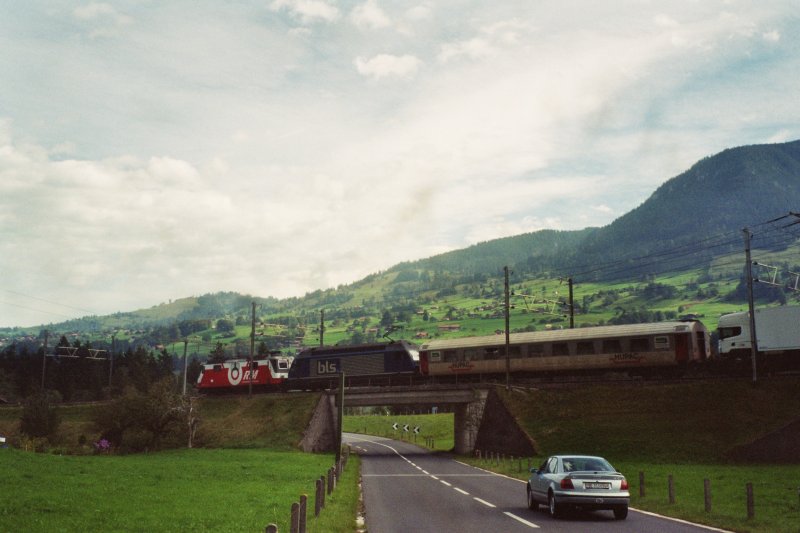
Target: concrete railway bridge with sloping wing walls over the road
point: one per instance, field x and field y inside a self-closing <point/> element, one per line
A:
<point x="481" y="420"/>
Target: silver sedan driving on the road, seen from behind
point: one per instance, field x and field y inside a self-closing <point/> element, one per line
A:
<point x="583" y="481"/>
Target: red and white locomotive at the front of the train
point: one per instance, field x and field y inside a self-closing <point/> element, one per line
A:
<point x="267" y="372"/>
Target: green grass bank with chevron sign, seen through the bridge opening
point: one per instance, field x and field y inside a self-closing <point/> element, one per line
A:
<point x="438" y="428"/>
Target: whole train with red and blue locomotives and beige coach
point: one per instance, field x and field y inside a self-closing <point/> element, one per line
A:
<point x="661" y="349"/>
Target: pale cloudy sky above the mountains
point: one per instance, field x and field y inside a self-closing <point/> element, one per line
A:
<point x="151" y="151"/>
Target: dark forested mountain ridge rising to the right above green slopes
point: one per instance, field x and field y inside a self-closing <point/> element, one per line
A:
<point x="724" y="193"/>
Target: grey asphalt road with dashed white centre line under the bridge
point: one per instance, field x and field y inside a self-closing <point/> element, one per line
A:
<point x="406" y="488"/>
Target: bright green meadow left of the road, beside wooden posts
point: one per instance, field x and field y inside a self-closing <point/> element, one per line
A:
<point x="181" y="490"/>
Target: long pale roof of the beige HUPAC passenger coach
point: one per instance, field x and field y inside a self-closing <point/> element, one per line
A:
<point x="556" y="335"/>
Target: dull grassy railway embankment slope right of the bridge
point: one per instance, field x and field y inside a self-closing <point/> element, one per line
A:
<point x="668" y="423"/>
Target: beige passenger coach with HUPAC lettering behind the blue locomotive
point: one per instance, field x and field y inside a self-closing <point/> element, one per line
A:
<point x="633" y="348"/>
